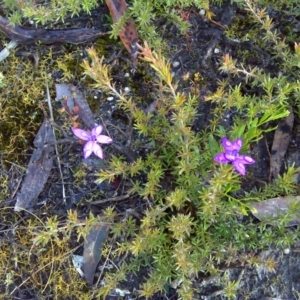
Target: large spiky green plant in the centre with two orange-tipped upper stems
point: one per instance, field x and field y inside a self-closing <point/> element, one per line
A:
<point x="178" y="233"/>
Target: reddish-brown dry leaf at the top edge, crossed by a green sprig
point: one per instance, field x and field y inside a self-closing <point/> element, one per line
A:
<point x="128" y="34"/>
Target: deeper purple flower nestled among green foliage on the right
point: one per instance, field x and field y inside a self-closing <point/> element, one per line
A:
<point x="231" y="155"/>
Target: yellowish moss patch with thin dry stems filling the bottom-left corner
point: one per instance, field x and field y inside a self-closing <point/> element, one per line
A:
<point x="41" y="268"/>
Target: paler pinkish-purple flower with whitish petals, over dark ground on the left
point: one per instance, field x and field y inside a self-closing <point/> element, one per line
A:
<point x="92" y="137"/>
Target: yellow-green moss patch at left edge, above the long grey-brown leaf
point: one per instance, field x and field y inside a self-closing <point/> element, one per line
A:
<point x="22" y="95"/>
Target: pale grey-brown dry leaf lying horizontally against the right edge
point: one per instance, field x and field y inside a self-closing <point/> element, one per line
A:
<point x="275" y="208"/>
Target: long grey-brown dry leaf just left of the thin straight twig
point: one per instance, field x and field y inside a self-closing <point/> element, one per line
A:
<point x="38" y="169"/>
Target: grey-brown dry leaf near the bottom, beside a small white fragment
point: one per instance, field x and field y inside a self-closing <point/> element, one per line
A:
<point x="92" y="250"/>
